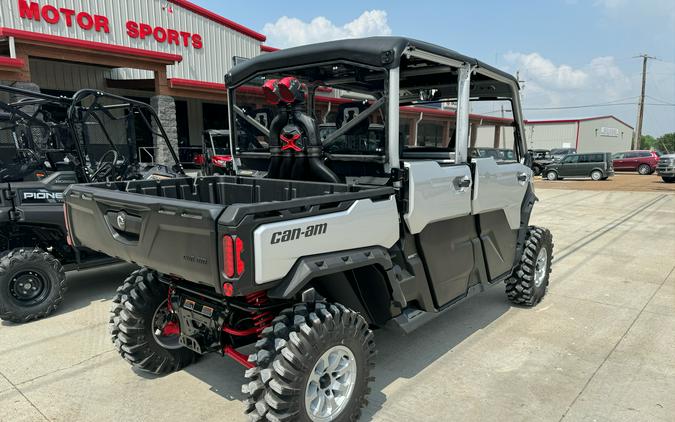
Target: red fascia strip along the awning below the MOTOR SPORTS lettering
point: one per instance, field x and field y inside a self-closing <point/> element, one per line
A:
<point x="90" y="45"/>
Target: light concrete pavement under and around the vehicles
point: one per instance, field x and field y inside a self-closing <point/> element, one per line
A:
<point x="600" y="347"/>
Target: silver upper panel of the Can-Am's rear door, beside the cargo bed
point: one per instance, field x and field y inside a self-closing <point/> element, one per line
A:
<point x="434" y="193"/>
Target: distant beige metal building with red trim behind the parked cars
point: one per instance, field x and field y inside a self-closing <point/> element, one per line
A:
<point x="591" y="134"/>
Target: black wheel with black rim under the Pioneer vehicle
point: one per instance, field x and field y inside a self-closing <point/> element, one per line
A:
<point x="32" y="284"/>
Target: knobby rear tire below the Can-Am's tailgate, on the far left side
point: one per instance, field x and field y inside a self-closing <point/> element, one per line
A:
<point x="135" y="306"/>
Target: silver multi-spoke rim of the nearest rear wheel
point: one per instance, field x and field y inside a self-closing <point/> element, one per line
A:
<point x="331" y="384"/>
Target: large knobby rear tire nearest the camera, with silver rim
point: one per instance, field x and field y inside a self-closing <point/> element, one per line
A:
<point x="289" y="353"/>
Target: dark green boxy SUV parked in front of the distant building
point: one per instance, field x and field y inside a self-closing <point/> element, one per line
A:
<point x="596" y="165"/>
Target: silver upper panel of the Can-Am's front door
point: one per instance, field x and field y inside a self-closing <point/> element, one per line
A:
<point x="497" y="187"/>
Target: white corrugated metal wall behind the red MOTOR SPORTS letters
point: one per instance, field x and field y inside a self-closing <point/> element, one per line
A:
<point x="208" y="64"/>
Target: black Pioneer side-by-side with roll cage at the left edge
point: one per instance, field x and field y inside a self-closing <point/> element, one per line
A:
<point x="46" y="144"/>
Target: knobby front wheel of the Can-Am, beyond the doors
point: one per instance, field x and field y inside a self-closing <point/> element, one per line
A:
<point x="529" y="282"/>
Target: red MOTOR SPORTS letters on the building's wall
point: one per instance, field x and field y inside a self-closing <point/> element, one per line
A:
<point x="54" y="15"/>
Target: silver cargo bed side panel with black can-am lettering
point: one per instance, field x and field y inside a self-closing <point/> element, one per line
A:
<point x="365" y="223"/>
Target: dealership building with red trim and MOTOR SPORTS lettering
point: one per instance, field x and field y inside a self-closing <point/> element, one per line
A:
<point x="170" y="53"/>
